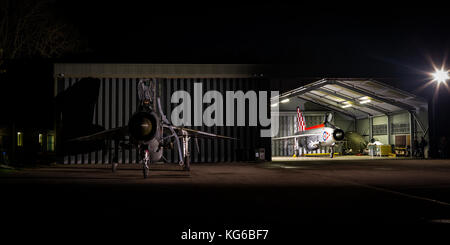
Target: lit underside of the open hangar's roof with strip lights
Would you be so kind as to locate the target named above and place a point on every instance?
(353, 97)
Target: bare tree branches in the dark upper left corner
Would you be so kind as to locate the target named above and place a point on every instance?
(29, 29)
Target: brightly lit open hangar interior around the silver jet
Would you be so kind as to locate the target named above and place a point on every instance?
(364, 108)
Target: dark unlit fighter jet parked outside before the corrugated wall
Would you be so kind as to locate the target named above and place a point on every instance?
(150, 132)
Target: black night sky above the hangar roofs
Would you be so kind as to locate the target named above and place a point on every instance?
(394, 43)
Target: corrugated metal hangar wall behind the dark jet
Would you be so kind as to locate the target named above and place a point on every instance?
(118, 100)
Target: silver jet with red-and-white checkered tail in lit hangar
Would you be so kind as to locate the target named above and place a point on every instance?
(325, 134)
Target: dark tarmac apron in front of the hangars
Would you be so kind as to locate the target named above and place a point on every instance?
(285, 197)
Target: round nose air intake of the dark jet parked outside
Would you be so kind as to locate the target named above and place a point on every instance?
(143, 126)
